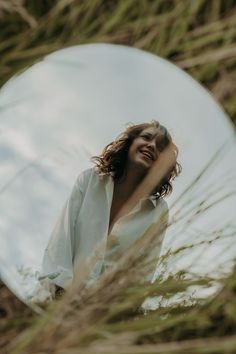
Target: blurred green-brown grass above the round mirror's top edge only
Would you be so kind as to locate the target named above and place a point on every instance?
(199, 36)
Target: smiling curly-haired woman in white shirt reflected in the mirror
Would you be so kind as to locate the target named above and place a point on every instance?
(113, 204)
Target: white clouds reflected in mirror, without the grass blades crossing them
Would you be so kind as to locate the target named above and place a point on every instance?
(73, 104)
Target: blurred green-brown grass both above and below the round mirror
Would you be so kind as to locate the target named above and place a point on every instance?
(200, 37)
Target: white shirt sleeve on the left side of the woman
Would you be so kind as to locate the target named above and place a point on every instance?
(57, 264)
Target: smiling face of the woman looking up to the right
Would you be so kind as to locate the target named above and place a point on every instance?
(146, 148)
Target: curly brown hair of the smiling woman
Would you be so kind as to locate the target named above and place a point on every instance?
(113, 159)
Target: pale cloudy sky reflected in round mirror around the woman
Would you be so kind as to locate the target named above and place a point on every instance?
(62, 111)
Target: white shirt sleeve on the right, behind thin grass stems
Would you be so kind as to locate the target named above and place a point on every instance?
(161, 226)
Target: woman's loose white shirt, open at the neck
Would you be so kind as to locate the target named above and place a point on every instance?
(82, 228)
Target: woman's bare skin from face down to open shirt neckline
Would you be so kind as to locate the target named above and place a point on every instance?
(142, 158)
